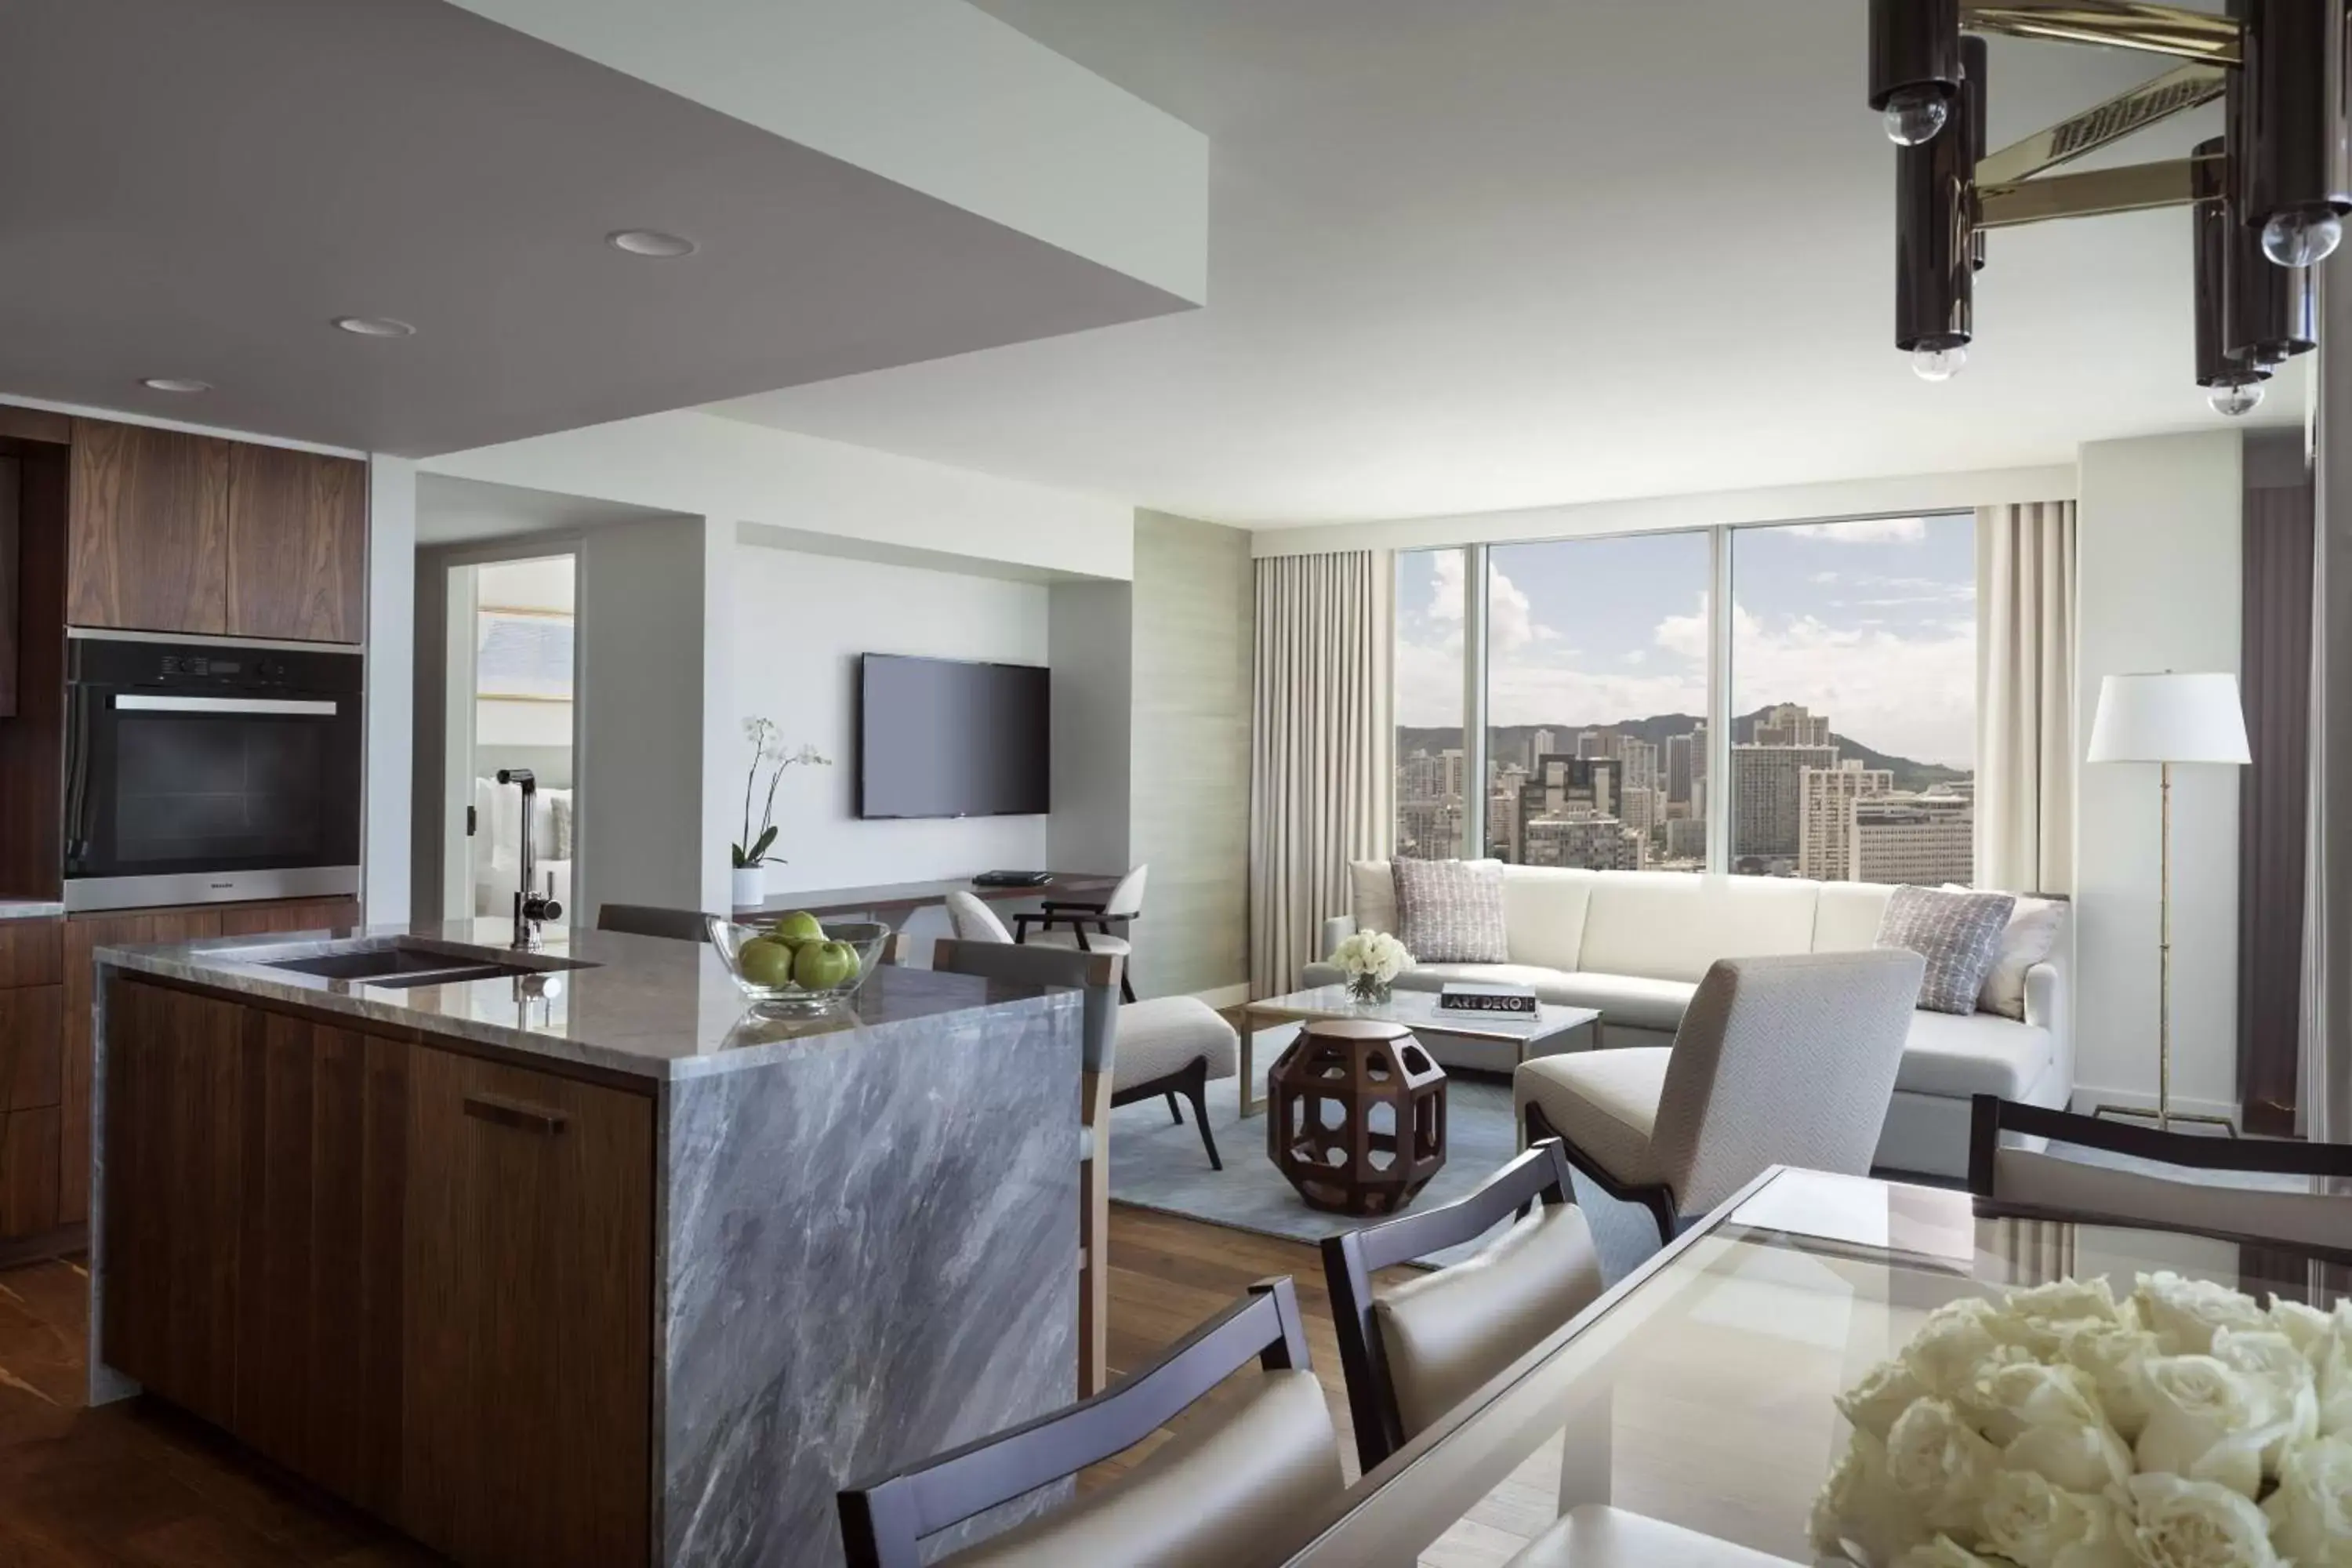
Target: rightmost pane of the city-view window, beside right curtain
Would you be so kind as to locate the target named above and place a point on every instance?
(1855, 699)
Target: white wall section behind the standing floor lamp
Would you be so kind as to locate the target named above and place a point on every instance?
(2160, 579)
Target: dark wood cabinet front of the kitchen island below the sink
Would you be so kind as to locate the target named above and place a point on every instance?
(415, 1278)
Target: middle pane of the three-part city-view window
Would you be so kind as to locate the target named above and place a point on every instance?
(1596, 702)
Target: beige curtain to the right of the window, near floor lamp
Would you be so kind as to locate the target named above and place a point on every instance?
(2026, 697)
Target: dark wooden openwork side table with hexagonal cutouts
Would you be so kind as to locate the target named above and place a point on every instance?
(1321, 1127)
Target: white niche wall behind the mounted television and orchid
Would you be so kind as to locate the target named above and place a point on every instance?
(801, 624)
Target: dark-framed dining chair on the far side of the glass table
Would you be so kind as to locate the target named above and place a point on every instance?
(2189, 1188)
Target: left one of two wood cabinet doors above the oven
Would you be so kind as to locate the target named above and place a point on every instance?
(147, 530)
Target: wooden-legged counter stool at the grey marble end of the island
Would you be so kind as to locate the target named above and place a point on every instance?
(1095, 977)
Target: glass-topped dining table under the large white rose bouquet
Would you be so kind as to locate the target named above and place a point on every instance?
(1702, 1388)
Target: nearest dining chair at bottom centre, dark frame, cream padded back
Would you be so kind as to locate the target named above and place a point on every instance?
(1236, 1487)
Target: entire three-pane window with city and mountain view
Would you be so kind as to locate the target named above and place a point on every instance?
(1836, 739)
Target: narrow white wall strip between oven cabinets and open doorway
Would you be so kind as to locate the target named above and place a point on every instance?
(392, 688)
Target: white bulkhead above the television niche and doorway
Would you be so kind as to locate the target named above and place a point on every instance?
(733, 471)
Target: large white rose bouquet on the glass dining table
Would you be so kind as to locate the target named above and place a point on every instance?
(2179, 1428)
